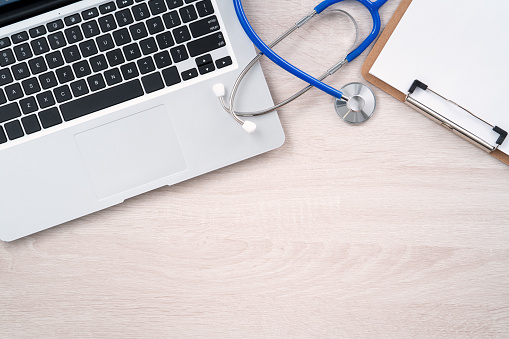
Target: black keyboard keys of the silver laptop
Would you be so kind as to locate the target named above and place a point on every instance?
(101, 57)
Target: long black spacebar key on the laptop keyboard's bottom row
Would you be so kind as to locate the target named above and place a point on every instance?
(101, 100)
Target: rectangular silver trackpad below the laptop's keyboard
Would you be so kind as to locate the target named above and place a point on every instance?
(131, 152)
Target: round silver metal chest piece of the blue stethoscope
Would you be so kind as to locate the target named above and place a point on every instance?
(360, 105)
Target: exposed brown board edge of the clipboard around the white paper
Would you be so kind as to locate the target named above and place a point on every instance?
(377, 49)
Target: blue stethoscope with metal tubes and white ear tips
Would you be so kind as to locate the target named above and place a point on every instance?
(355, 103)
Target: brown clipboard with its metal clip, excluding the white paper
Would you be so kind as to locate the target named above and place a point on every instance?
(375, 53)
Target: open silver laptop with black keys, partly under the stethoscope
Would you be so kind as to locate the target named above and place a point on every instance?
(101, 101)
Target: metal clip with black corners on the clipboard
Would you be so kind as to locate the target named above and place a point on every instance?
(437, 117)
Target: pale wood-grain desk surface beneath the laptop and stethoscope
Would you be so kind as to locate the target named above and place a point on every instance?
(396, 228)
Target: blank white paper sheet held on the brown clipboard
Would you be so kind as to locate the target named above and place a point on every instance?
(460, 49)
